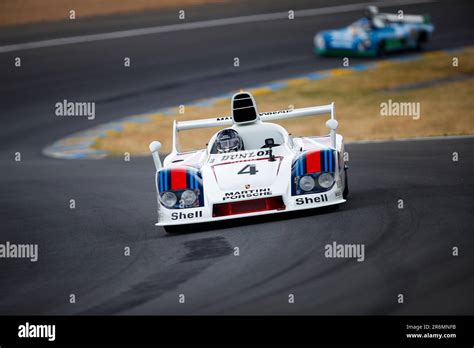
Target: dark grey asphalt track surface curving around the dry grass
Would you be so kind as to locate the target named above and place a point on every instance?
(81, 251)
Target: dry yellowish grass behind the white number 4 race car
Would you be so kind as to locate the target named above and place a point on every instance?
(446, 108)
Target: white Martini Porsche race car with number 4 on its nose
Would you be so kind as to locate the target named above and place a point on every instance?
(252, 167)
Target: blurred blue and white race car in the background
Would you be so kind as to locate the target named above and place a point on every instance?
(375, 34)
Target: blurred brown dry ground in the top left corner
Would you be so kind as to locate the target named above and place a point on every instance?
(16, 12)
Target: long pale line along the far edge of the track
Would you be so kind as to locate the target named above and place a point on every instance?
(201, 24)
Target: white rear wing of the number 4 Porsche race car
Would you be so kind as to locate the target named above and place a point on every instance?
(226, 121)
